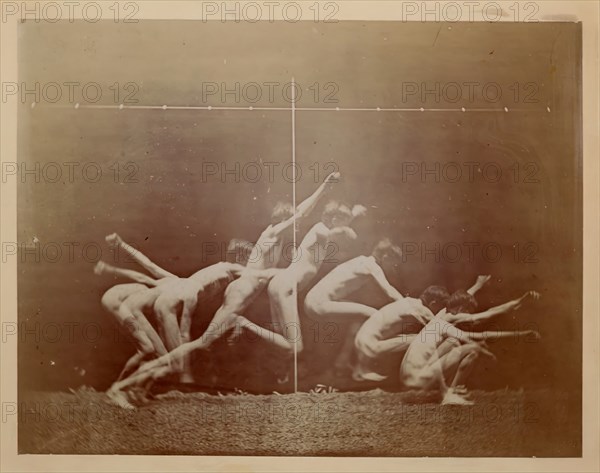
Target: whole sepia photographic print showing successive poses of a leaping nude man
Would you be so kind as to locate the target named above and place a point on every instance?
(315, 238)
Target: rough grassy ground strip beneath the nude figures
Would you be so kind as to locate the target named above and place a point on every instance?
(370, 423)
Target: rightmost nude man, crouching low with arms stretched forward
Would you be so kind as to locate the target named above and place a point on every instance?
(442, 352)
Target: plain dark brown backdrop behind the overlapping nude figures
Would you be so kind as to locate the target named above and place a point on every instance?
(172, 210)
